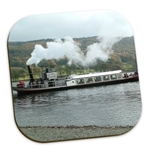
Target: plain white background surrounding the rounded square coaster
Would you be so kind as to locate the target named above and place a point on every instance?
(137, 13)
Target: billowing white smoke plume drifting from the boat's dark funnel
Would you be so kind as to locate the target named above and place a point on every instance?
(69, 48)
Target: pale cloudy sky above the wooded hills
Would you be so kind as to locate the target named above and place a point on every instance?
(74, 24)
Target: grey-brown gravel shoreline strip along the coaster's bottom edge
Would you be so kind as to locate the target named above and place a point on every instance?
(65, 133)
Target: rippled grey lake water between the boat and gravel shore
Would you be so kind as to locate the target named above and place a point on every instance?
(114, 105)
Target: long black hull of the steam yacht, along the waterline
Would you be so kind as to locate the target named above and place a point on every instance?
(24, 91)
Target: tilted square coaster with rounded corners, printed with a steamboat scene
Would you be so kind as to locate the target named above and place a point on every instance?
(74, 76)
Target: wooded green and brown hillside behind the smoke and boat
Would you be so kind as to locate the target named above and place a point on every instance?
(123, 57)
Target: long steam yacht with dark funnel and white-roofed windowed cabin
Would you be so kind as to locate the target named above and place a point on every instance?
(49, 81)
